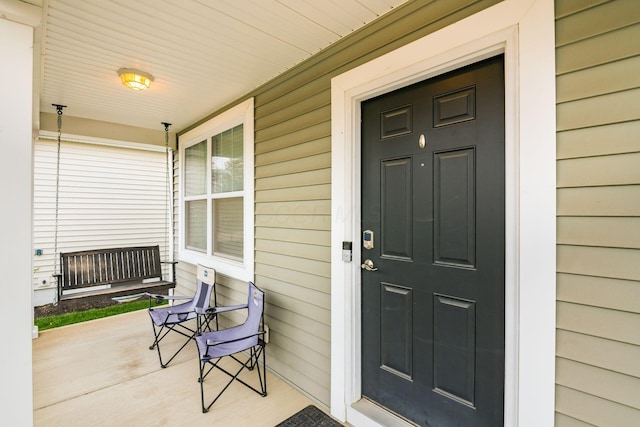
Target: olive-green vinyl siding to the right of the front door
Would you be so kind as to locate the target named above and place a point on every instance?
(598, 227)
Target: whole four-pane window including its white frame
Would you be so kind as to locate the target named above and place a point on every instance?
(216, 199)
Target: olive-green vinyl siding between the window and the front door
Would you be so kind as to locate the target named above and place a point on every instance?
(293, 189)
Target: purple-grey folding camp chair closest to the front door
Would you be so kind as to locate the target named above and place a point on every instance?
(249, 336)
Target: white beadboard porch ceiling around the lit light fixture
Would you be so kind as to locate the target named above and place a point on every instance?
(202, 53)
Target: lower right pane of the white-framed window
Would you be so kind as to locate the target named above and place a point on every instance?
(228, 219)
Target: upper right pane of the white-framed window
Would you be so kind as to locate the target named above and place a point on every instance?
(227, 161)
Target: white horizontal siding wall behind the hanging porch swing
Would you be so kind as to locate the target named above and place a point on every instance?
(108, 197)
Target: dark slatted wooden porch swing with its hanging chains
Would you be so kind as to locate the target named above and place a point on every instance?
(100, 276)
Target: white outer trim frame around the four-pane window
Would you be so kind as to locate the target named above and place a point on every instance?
(242, 113)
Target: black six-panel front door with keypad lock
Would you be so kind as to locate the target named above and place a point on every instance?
(433, 248)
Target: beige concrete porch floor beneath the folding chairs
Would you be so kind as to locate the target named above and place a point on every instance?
(102, 373)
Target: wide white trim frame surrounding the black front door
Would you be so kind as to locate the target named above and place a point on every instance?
(524, 31)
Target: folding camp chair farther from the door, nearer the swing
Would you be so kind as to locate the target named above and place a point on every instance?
(180, 318)
